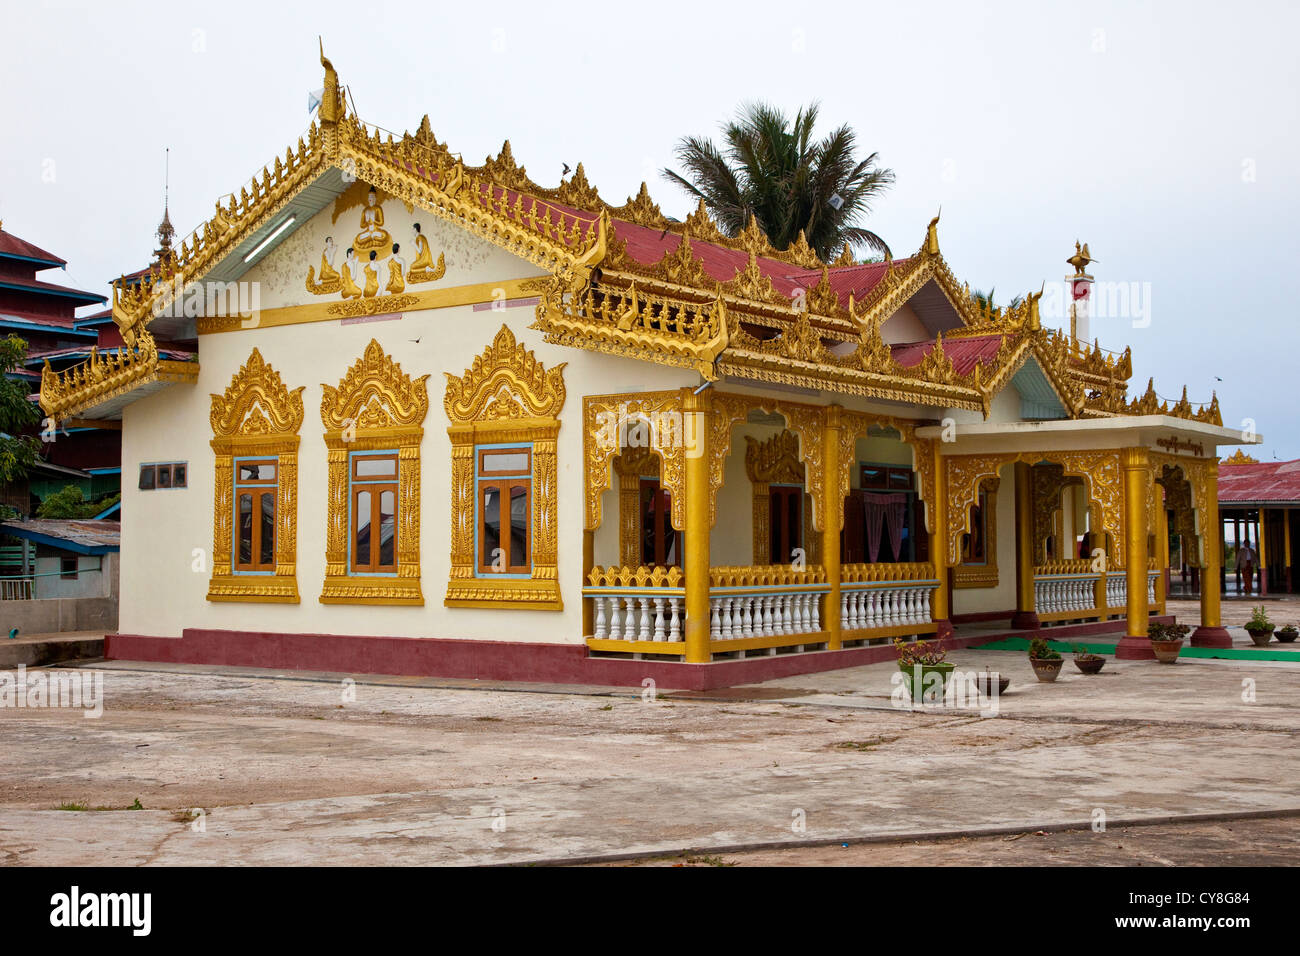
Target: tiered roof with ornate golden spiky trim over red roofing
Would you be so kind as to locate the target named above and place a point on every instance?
(673, 312)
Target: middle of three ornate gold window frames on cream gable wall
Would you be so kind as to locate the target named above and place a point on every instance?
(376, 408)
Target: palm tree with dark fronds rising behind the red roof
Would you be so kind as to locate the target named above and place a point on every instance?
(773, 170)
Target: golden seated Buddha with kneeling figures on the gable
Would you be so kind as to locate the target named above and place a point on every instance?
(374, 261)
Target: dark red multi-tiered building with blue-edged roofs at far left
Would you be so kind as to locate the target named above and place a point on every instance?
(44, 314)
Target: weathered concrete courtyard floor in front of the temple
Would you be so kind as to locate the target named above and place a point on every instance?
(293, 768)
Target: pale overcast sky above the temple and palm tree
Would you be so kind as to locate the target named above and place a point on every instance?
(1164, 135)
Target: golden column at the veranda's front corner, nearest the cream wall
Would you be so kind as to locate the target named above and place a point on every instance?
(695, 432)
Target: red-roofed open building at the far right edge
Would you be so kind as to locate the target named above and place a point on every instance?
(1260, 505)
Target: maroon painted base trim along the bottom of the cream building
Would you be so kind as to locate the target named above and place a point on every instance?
(549, 664)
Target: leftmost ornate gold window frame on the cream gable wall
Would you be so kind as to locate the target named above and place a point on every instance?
(255, 418)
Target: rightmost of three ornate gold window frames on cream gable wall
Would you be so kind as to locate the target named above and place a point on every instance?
(506, 397)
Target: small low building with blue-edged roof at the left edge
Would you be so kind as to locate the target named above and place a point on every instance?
(71, 582)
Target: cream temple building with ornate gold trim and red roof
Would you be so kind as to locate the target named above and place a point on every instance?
(660, 452)
